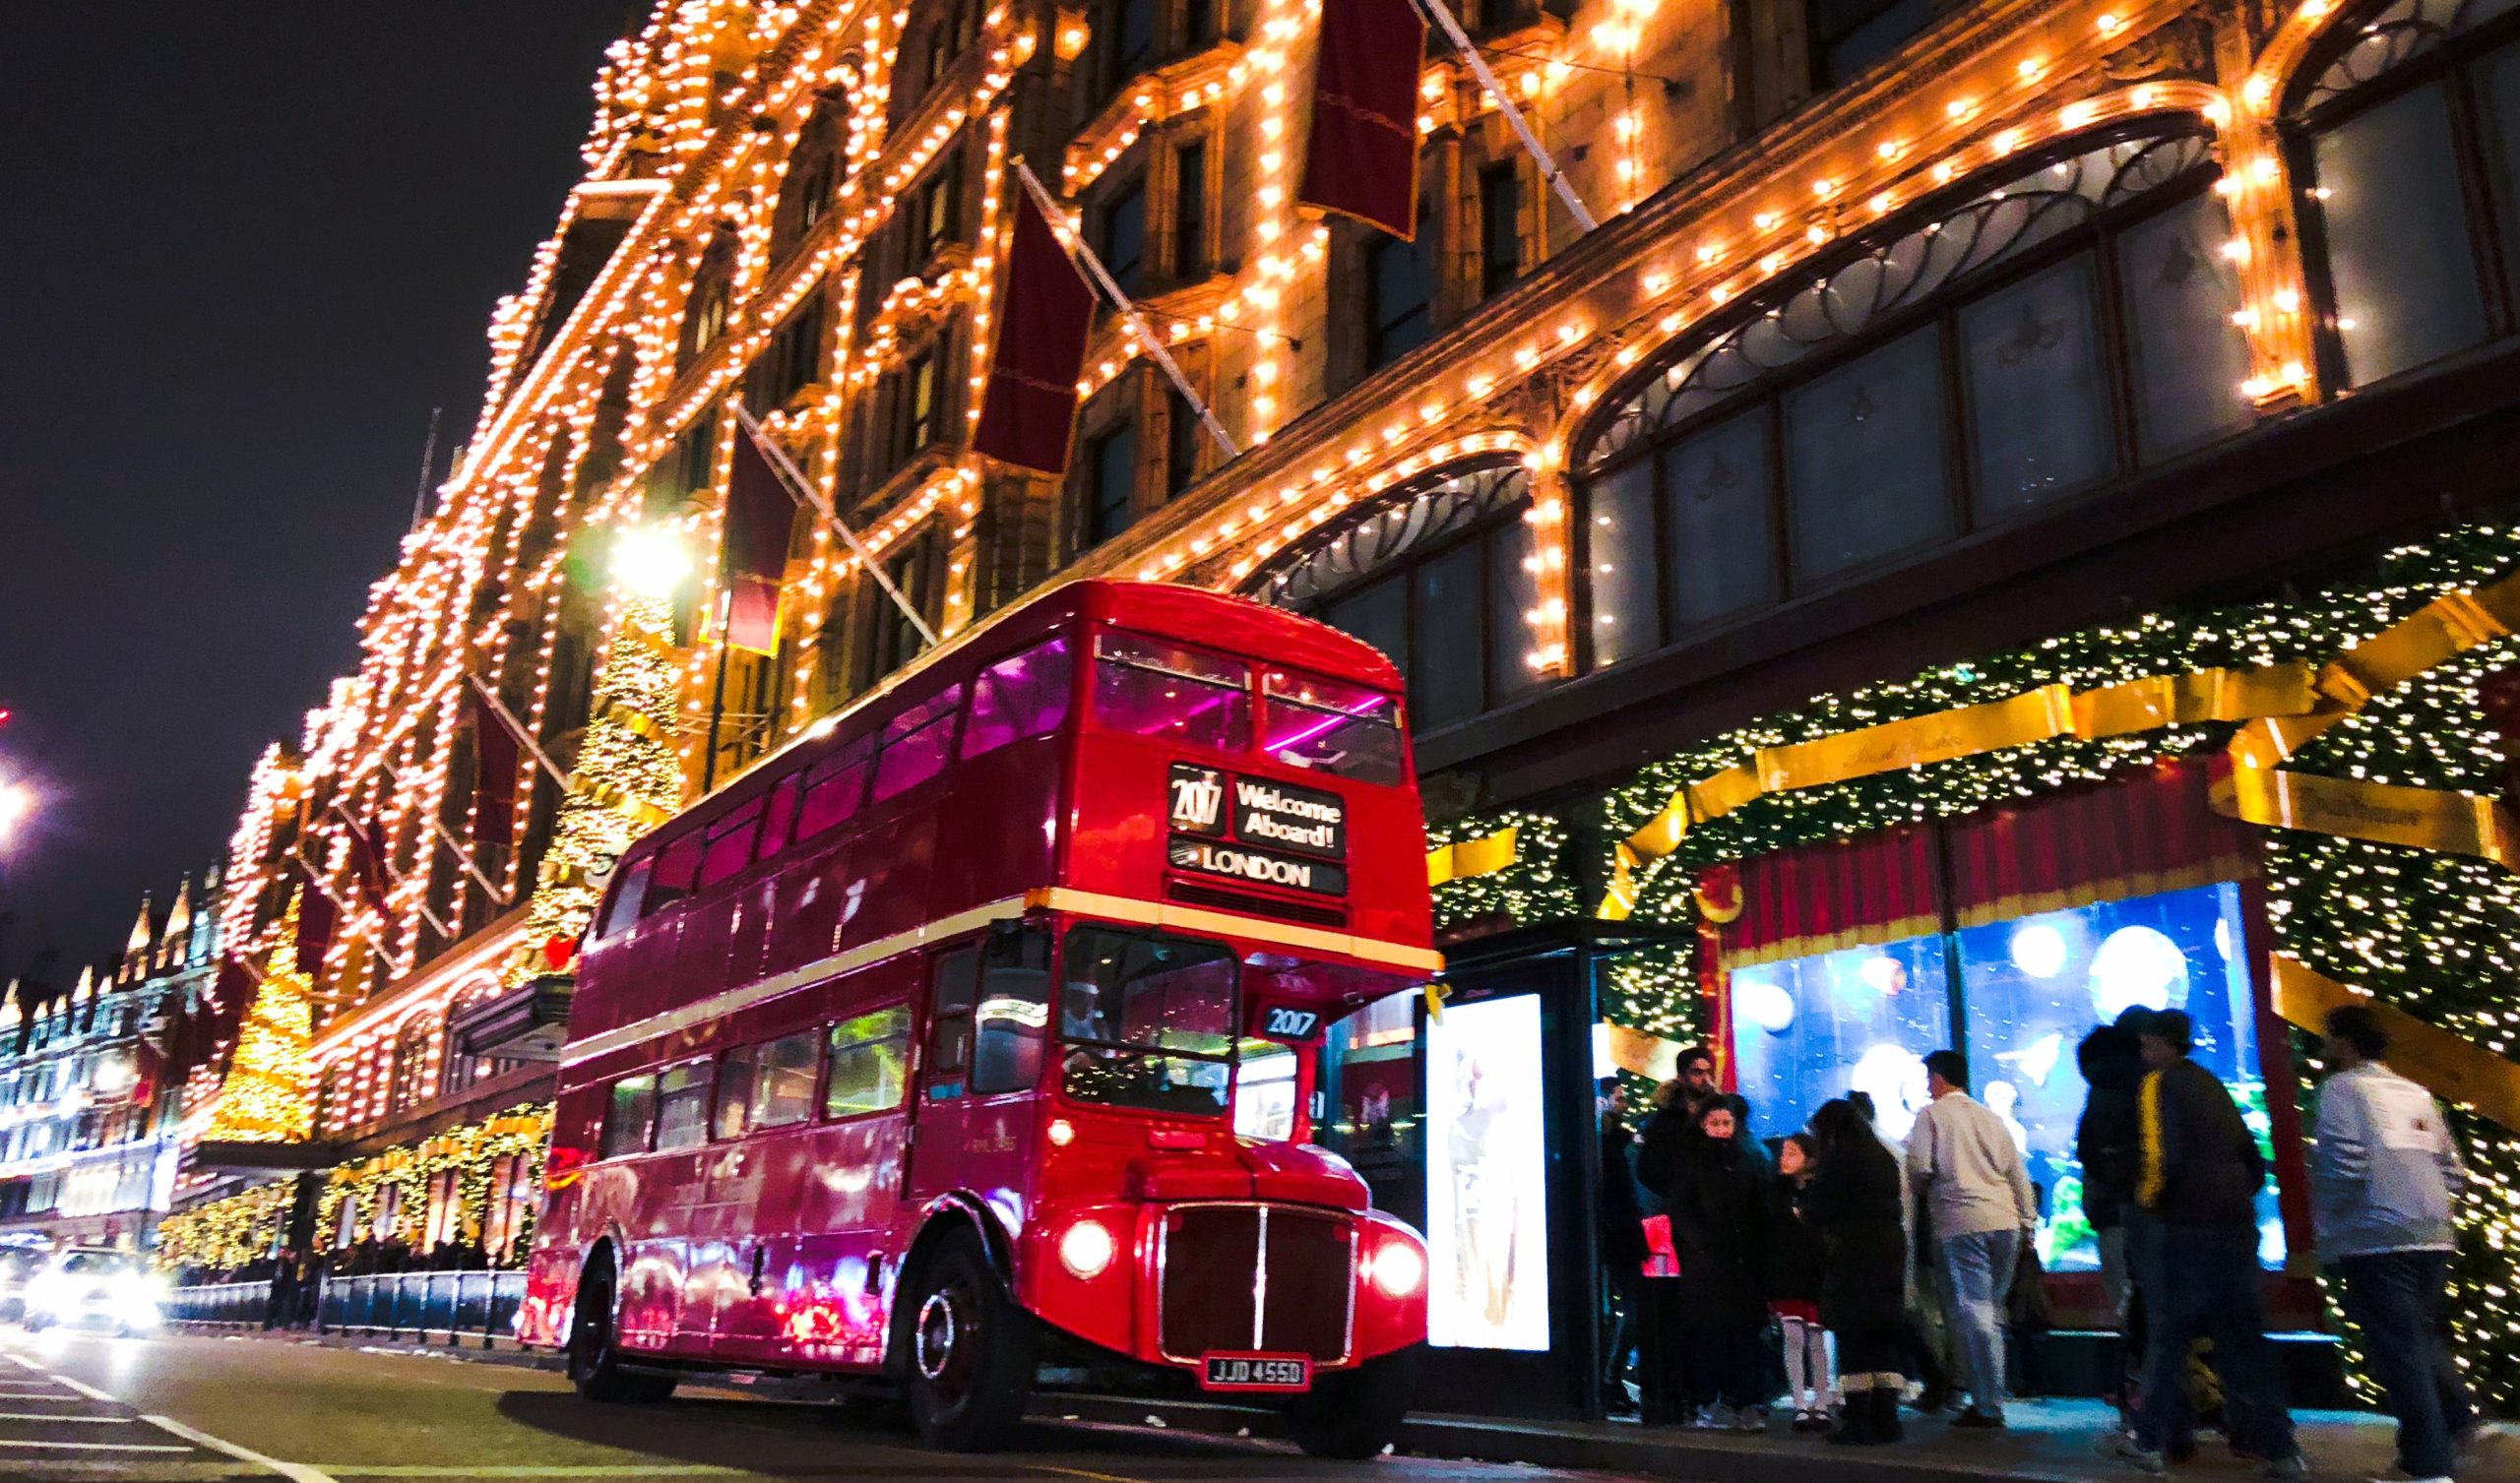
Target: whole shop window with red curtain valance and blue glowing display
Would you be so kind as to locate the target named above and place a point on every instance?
(2012, 935)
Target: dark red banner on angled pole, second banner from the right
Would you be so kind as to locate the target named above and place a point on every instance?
(1029, 409)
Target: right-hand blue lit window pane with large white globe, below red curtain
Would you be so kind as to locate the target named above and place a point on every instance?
(2035, 986)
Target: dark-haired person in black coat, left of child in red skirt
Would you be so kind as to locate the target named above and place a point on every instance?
(1717, 1200)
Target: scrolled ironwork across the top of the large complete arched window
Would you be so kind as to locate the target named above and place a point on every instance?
(1921, 261)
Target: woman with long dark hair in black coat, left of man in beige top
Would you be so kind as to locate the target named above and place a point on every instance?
(1856, 1205)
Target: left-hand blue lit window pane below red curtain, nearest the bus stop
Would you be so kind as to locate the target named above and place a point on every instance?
(1816, 1029)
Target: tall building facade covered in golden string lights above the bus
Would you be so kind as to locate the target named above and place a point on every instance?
(1909, 334)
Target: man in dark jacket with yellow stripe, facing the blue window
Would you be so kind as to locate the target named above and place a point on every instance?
(2199, 1187)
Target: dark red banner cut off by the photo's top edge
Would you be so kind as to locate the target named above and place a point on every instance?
(1362, 157)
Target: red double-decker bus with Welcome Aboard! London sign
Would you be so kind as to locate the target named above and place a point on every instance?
(979, 1031)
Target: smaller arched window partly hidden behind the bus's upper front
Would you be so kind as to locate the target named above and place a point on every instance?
(1435, 575)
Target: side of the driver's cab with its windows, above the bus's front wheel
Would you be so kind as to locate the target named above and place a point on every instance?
(976, 1102)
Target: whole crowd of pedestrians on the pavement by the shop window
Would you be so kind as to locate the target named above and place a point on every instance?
(1858, 1278)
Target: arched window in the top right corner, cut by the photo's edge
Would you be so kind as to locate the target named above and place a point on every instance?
(2405, 135)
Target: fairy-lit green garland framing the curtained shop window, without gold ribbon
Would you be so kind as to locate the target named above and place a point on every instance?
(2433, 935)
